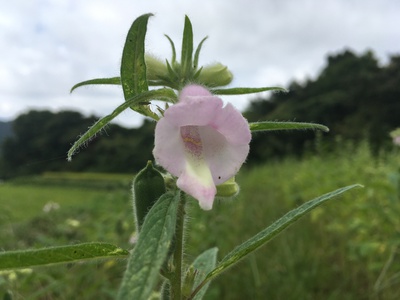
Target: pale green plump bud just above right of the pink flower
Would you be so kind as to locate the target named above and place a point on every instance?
(215, 75)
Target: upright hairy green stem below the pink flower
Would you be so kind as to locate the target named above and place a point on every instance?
(176, 278)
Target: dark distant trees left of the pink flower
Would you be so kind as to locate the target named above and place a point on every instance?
(41, 139)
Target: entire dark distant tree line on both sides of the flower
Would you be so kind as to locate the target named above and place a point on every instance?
(357, 98)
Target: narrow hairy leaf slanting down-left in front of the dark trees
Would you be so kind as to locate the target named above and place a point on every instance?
(137, 102)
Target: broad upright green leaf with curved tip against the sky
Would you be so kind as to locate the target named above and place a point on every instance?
(133, 65)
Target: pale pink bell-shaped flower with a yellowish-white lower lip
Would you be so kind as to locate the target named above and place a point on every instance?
(201, 142)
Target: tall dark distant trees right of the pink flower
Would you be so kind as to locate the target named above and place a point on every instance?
(353, 95)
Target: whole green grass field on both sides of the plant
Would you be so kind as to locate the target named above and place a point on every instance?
(347, 249)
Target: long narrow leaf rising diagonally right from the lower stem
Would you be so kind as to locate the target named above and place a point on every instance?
(270, 232)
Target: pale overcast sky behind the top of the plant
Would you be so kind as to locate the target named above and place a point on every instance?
(47, 46)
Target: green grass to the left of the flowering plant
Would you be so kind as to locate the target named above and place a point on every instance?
(85, 213)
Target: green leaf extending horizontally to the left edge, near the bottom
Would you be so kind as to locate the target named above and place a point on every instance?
(60, 254)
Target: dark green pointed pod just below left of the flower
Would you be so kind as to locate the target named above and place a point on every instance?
(148, 186)
